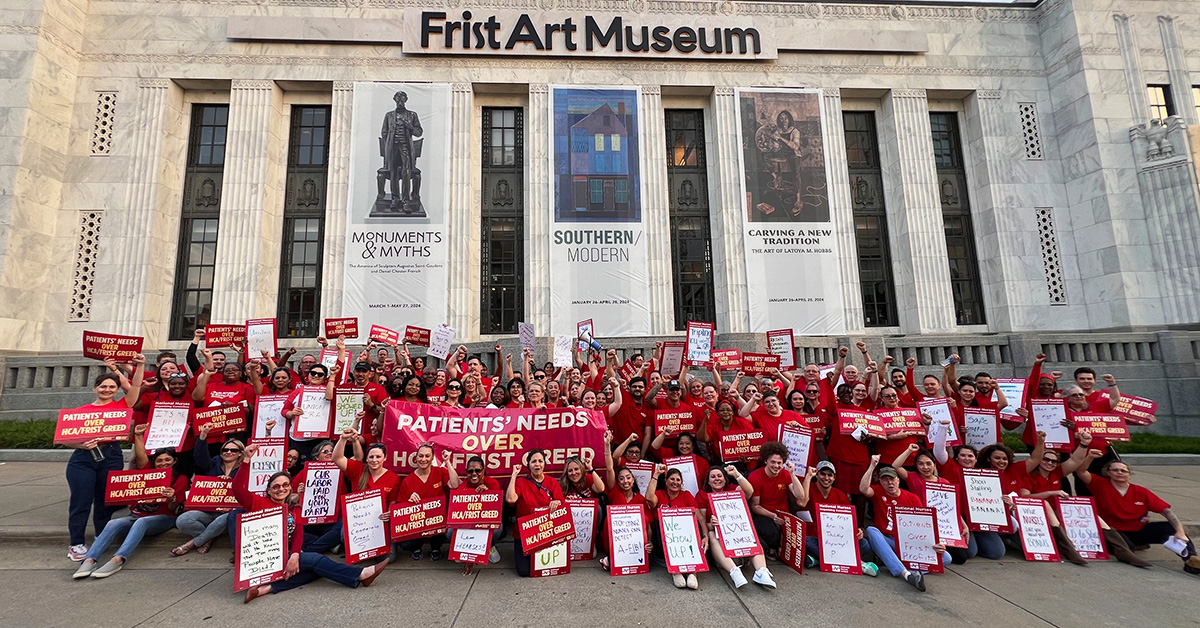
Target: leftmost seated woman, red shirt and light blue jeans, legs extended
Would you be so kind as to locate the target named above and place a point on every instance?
(146, 519)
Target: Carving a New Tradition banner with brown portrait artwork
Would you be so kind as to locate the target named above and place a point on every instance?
(790, 240)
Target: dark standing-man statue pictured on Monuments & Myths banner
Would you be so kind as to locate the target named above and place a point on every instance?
(400, 180)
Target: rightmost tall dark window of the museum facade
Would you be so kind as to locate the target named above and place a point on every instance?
(961, 250)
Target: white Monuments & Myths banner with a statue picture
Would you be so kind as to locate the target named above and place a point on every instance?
(397, 244)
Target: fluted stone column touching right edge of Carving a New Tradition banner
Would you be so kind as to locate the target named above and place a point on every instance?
(843, 211)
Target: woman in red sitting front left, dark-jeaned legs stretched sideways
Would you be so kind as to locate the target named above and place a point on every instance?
(303, 567)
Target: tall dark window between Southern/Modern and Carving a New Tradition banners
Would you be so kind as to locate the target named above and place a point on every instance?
(692, 250)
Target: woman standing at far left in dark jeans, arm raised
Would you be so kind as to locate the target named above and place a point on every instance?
(92, 460)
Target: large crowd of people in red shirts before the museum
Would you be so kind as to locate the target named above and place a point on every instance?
(873, 475)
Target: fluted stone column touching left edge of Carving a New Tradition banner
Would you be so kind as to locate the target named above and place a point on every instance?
(729, 250)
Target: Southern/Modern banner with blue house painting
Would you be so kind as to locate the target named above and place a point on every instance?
(598, 244)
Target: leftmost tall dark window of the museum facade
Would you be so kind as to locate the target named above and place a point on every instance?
(200, 218)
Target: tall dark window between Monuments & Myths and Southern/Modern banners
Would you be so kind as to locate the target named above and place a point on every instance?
(503, 220)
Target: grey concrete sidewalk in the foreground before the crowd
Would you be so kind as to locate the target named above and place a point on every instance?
(159, 590)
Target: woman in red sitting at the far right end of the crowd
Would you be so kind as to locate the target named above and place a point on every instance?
(1126, 507)
